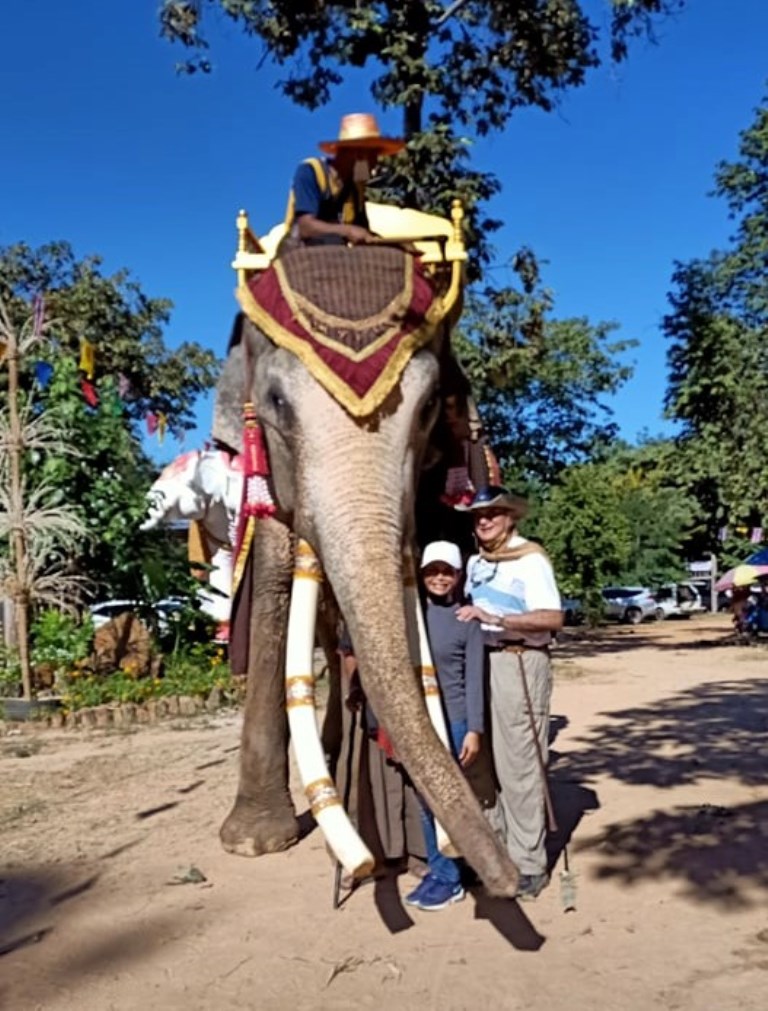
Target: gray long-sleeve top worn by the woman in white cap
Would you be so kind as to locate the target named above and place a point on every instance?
(458, 652)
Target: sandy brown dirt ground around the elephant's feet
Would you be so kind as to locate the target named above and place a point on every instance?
(660, 774)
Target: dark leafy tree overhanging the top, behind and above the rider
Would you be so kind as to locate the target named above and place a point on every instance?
(458, 71)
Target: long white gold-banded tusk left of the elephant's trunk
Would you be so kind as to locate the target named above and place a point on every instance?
(321, 791)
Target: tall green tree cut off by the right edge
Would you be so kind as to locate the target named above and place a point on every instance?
(718, 356)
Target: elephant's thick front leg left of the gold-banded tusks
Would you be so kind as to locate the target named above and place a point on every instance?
(263, 819)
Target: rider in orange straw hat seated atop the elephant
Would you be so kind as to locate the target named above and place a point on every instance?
(328, 200)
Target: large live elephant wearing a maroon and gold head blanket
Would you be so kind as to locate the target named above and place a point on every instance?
(344, 479)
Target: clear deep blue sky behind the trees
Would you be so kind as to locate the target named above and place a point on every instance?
(107, 147)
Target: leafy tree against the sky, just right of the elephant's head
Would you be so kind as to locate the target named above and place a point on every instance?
(539, 381)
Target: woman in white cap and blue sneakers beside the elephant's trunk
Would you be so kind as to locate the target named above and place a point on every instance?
(457, 650)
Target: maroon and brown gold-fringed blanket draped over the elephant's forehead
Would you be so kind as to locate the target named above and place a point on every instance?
(354, 317)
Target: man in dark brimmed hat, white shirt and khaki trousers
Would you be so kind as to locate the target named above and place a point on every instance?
(514, 595)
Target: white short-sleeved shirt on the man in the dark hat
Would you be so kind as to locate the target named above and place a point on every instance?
(513, 588)
